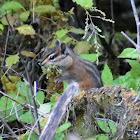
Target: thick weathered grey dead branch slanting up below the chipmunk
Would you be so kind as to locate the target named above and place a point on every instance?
(58, 113)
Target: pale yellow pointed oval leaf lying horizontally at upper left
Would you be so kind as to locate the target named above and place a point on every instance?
(26, 30)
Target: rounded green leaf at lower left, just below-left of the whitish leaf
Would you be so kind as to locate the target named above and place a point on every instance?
(27, 118)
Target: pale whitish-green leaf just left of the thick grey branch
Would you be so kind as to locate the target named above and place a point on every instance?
(45, 108)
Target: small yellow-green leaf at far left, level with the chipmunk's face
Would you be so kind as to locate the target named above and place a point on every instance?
(12, 59)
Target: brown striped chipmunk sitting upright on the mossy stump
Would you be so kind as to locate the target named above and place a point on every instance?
(74, 68)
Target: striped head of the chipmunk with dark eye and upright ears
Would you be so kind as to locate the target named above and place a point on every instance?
(58, 55)
